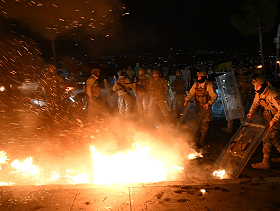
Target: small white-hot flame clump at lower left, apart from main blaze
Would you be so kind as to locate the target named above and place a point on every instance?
(25, 168)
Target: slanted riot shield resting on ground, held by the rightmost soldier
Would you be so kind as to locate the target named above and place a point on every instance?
(241, 147)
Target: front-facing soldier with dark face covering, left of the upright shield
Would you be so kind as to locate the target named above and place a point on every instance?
(204, 96)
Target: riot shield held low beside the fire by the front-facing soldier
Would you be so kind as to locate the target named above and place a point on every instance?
(191, 119)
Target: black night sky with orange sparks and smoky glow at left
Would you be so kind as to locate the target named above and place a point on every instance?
(150, 26)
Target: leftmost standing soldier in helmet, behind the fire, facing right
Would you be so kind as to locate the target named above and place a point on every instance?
(93, 89)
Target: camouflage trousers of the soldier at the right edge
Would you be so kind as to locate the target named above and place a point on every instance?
(271, 138)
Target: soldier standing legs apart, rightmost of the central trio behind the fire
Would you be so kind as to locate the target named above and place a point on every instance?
(157, 92)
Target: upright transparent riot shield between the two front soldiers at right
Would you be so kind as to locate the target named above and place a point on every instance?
(230, 96)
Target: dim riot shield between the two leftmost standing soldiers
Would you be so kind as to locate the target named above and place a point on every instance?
(111, 96)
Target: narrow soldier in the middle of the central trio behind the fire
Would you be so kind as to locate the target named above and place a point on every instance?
(142, 100)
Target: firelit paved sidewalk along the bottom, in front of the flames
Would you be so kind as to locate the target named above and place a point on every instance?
(235, 194)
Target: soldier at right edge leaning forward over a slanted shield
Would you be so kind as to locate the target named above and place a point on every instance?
(268, 99)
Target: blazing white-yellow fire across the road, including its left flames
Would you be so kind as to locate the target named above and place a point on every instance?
(136, 165)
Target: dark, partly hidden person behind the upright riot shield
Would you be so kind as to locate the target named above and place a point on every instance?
(244, 89)
